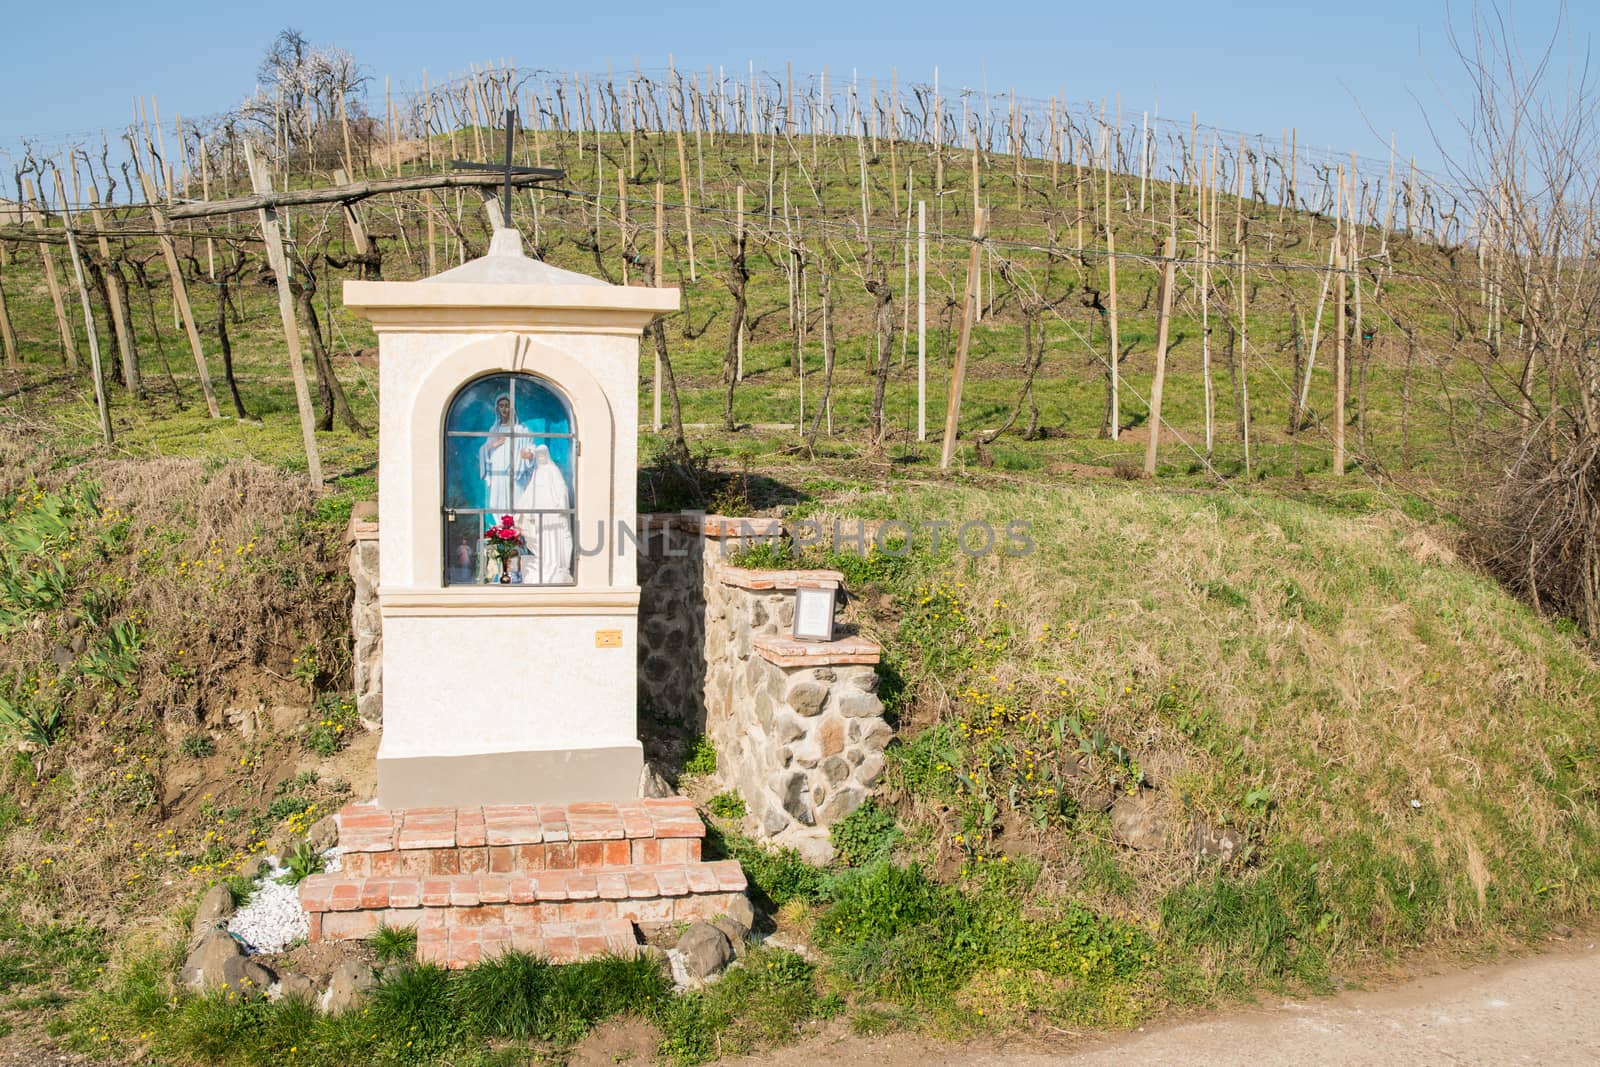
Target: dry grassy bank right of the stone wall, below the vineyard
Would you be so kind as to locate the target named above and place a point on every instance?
(1366, 711)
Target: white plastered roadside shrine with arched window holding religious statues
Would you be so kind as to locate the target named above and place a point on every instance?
(508, 388)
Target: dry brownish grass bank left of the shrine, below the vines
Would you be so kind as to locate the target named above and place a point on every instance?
(233, 586)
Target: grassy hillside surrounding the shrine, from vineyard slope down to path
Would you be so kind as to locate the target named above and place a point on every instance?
(1399, 753)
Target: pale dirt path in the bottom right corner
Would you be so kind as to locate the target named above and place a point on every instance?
(1543, 1010)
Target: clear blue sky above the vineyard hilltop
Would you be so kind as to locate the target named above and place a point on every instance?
(1345, 74)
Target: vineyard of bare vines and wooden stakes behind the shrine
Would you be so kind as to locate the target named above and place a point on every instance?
(822, 234)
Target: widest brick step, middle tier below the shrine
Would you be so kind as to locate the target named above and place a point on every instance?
(345, 908)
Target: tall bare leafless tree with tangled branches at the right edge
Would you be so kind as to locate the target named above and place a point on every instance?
(1530, 170)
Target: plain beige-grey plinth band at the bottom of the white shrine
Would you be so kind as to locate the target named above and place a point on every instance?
(551, 777)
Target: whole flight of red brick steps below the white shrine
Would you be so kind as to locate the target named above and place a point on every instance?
(561, 882)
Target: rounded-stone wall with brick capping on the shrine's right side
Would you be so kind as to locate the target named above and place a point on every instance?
(798, 727)
